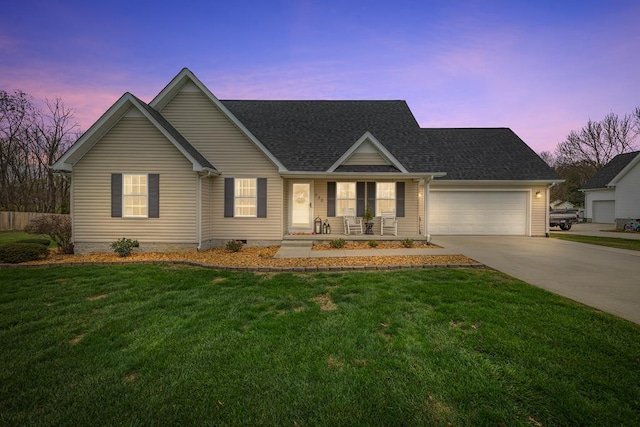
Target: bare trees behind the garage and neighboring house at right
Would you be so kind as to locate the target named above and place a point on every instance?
(584, 152)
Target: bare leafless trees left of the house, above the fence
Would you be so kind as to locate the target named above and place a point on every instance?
(32, 137)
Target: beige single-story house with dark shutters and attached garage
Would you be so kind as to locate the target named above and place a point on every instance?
(189, 170)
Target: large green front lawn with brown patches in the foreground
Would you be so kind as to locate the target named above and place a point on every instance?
(161, 344)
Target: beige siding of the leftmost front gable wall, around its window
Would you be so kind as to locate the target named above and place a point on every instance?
(133, 145)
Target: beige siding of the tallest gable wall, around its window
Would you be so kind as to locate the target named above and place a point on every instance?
(209, 130)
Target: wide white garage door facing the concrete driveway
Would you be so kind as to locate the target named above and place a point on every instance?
(478, 212)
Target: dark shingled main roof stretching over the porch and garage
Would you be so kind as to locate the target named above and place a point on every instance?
(311, 135)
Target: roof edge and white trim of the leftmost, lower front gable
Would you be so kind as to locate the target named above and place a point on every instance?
(127, 104)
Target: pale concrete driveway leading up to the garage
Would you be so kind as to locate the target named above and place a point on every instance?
(605, 278)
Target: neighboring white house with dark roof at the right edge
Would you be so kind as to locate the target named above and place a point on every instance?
(613, 194)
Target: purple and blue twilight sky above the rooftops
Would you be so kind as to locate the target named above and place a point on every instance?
(541, 68)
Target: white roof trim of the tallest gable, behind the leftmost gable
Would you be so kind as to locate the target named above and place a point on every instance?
(184, 77)
